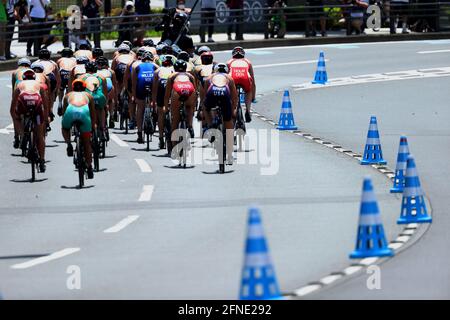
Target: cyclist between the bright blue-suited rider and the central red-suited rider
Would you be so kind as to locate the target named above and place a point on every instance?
(158, 92)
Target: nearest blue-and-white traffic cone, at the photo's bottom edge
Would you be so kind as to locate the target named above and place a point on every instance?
(258, 275)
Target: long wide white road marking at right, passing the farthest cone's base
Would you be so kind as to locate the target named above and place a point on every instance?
(378, 77)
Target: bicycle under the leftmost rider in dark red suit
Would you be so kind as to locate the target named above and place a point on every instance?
(29, 148)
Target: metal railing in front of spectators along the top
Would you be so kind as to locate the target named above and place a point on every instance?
(436, 14)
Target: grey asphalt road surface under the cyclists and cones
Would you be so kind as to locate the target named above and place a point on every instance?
(189, 230)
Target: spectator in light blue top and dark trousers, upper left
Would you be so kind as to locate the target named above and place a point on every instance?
(38, 16)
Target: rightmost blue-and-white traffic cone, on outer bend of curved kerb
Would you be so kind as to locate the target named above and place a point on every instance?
(413, 209)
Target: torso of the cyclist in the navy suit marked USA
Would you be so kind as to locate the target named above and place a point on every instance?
(219, 96)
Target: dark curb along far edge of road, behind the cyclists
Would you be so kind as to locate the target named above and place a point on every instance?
(299, 41)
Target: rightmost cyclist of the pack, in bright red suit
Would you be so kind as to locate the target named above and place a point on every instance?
(241, 71)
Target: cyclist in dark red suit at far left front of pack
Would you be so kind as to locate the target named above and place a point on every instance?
(30, 93)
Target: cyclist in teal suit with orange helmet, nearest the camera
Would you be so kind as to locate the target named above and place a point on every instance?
(79, 106)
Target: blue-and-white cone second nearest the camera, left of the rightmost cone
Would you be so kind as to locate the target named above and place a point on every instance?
(370, 241)
